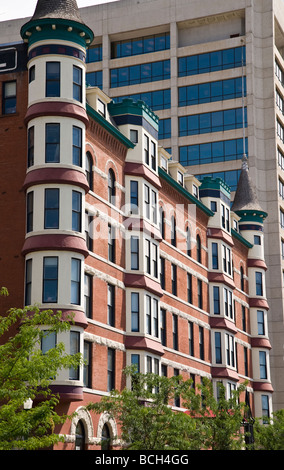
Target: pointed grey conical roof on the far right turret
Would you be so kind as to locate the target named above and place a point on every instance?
(246, 197)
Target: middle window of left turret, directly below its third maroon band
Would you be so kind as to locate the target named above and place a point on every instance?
(50, 279)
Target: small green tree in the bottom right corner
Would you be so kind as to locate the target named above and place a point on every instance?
(269, 433)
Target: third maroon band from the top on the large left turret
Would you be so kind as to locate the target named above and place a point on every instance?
(55, 242)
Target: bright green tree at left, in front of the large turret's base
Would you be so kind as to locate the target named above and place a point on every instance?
(26, 374)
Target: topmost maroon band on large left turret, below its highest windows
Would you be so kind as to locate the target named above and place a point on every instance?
(57, 108)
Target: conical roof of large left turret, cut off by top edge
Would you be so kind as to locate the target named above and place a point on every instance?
(60, 9)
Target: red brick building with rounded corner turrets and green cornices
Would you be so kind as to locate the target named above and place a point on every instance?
(159, 269)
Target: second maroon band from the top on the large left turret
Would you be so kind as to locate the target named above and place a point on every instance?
(56, 176)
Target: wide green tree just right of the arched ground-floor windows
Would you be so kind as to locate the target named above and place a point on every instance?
(145, 419)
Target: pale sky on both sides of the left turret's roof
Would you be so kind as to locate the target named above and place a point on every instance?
(12, 9)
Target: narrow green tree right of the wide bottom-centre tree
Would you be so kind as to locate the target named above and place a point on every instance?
(219, 421)
